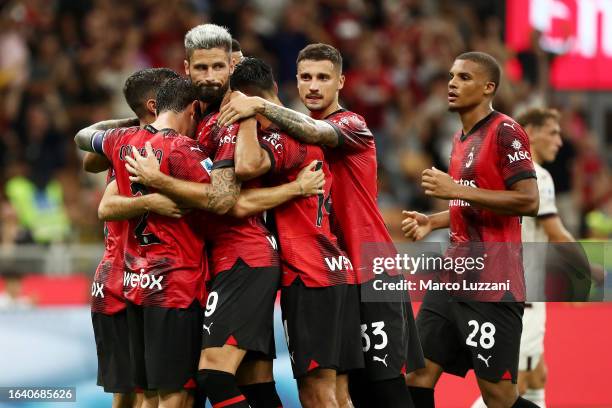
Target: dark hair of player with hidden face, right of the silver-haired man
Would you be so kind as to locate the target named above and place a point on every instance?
(252, 76)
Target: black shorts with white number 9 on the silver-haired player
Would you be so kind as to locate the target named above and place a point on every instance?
(240, 309)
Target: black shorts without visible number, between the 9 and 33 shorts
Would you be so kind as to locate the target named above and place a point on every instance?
(322, 327)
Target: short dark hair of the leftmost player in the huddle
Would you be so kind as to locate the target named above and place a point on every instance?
(143, 85)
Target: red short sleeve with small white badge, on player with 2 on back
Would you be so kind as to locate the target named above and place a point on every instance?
(189, 162)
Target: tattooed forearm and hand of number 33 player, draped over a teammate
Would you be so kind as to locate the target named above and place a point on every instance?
(296, 124)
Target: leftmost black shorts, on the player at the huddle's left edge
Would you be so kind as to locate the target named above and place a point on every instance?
(113, 349)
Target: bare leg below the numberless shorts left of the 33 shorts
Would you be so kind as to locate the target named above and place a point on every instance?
(318, 389)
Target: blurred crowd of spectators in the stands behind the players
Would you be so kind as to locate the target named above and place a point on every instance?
(63, 64)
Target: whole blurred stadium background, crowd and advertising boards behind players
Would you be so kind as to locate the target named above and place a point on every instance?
(62, 67)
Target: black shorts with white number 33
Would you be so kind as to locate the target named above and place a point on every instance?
(389, 335)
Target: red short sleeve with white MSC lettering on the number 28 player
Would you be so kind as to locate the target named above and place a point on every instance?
(514, 155)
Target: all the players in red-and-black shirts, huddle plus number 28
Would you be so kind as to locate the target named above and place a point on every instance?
(218, 196)
